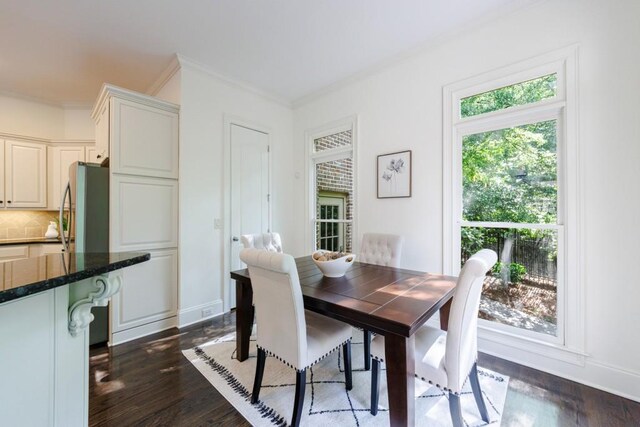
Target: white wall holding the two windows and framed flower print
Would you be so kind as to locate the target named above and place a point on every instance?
(400, 107)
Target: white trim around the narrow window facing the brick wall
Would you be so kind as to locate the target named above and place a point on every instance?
(311, 158)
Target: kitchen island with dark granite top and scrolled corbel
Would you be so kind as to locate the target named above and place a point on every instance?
(45, 311)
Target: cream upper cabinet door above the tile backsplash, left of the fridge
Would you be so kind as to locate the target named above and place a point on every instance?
(25, 175)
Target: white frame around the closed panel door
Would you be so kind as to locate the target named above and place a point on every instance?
(230, 120)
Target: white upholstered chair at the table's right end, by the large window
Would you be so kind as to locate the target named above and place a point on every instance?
(447, 359)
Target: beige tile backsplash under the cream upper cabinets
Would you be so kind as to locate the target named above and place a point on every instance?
(25, 224)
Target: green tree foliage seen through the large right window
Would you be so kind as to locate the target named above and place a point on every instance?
(509, 175)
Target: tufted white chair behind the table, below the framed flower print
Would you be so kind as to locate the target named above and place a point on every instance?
(379, 249)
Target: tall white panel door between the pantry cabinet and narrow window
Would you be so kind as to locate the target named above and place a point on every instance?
(249, 191)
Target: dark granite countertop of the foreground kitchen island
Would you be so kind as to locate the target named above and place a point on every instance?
(32, 275)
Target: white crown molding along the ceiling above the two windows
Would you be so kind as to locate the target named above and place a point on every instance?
(434, 42)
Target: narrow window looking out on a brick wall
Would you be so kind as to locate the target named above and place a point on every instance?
(332, 188)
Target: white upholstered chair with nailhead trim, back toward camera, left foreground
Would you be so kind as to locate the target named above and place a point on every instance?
(287, 331)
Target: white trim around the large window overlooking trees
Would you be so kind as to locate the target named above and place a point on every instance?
(571, 299)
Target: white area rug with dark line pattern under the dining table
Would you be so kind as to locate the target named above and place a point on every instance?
(327, 403)
